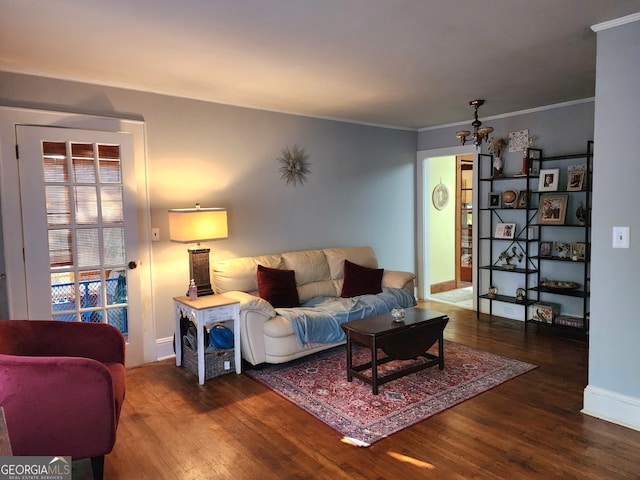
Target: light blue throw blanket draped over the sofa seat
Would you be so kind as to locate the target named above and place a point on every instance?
(318, 319)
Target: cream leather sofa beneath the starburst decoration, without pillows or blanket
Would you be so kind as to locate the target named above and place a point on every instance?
(267, 337)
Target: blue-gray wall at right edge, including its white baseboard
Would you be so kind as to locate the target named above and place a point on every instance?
(614, 353)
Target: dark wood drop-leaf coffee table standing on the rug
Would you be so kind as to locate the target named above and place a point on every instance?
(404, 340)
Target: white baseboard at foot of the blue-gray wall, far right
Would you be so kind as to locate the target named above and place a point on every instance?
(612, 407)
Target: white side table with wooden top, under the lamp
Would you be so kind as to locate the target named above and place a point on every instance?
(205, 311)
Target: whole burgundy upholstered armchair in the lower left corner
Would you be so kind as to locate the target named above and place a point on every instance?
(62, 385)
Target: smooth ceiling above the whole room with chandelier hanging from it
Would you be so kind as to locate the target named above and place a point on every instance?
(402, 63)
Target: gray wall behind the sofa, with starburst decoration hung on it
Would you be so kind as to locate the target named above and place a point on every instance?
(360, 190)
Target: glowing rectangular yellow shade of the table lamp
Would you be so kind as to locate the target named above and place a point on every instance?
(190, 225)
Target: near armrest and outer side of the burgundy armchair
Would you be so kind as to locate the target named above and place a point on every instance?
(65, 394)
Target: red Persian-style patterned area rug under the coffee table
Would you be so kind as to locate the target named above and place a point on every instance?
(318, 384)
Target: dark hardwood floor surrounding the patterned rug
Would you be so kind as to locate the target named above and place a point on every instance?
(233, 427)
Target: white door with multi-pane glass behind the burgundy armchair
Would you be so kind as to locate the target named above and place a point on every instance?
(78, 199)
